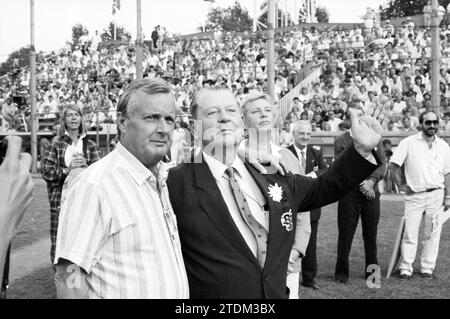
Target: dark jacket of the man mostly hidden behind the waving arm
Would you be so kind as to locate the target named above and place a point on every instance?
(342, 142)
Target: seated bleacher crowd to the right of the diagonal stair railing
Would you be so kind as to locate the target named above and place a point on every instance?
(389, 76)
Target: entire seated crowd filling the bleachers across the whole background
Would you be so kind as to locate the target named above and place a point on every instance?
(385, 68)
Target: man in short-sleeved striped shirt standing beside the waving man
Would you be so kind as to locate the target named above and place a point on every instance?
(117, 235)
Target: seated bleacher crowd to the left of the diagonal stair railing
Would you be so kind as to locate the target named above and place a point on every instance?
(92, 75)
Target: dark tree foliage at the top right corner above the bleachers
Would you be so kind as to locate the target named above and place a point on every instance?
(405, 8)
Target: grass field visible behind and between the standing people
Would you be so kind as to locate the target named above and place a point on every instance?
(38, 284)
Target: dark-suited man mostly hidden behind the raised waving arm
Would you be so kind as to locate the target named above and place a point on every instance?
(363, 201)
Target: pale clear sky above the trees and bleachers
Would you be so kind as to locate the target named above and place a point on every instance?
(54, 18)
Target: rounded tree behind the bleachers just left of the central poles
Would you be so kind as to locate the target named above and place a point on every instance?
(233, 18)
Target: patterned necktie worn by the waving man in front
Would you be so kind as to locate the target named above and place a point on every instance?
(257, 229)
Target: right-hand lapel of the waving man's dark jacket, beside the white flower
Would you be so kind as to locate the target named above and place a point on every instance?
(276, 231)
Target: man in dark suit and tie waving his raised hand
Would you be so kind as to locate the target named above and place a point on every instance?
(219, 257)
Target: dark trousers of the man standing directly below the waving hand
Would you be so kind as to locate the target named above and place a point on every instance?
(350, 208)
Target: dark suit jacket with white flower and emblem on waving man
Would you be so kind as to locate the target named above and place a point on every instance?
(218, 261)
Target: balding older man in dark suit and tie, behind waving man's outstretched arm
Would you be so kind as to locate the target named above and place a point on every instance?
(314, 165)
